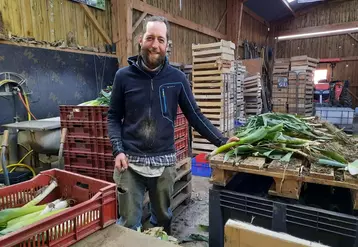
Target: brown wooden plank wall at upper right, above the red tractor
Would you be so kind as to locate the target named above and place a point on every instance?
(325, 47)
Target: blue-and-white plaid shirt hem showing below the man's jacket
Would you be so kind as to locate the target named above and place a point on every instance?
(154, 161)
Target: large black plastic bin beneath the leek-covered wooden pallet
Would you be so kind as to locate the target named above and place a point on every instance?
(277, 214)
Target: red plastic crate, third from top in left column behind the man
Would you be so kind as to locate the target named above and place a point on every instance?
(81, 144)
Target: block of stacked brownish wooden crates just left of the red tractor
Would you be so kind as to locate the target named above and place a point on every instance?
(293, 82)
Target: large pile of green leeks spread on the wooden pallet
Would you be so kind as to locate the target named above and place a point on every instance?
(280, 136)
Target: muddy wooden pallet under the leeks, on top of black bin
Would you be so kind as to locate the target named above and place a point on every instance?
(288, 178)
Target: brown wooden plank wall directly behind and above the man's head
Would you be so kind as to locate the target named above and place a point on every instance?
(205, 12)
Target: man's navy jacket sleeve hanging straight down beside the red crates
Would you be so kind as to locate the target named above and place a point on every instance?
(115, 115)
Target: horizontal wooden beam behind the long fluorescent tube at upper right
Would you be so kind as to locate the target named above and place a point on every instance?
(317, 30)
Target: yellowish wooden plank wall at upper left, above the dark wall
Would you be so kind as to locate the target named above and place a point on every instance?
(52, 20)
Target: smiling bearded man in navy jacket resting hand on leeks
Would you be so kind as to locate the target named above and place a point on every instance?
(141, 117)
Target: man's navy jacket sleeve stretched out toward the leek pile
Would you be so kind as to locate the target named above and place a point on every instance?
(196, 118)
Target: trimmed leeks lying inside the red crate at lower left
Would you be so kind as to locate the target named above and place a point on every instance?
(13, 219)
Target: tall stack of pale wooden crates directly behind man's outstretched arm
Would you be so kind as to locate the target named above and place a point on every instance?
(214, 88)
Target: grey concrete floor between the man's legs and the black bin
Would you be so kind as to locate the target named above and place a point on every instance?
(195, 214)
